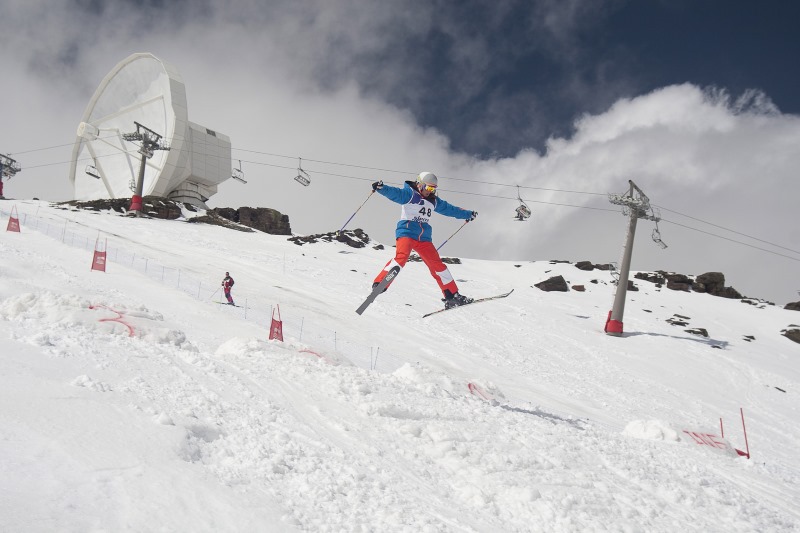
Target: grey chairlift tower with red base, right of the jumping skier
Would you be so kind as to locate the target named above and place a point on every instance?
(636, 205)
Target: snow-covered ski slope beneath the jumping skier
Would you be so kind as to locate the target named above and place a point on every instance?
(131, 401)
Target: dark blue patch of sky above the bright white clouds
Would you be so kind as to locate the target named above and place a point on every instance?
(498, 77)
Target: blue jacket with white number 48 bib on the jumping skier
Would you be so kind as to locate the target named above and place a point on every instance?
(416, 210)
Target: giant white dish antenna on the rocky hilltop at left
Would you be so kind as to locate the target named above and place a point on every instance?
(146, 90)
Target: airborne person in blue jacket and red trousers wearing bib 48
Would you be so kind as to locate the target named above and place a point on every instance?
(419, 201)
